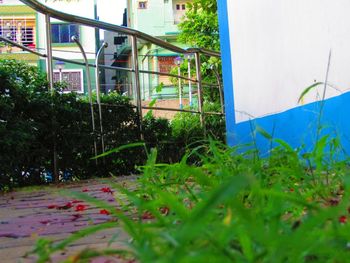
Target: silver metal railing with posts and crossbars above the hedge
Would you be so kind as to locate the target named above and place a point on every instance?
(135, 35)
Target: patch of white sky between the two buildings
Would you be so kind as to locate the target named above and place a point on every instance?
(111, 11)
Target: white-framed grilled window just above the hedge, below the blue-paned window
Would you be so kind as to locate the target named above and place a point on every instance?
(72, 77)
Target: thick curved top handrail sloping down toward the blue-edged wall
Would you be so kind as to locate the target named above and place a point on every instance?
(41, 8)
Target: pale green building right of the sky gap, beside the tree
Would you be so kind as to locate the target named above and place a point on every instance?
(158, 18)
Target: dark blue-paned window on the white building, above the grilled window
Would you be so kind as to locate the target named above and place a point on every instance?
(62, 33)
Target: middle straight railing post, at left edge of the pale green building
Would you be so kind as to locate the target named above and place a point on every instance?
(137, 82)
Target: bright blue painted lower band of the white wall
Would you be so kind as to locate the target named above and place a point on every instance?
(298, 126)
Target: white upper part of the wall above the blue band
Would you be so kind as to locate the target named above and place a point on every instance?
(280, 47)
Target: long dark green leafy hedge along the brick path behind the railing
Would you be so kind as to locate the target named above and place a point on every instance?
(36, 125)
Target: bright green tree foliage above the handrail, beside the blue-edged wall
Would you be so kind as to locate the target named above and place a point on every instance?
(199, 26)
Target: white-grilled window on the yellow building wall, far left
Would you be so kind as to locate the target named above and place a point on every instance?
(20, 30)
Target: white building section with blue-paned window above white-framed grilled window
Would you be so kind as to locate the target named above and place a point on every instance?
(64, 47)
